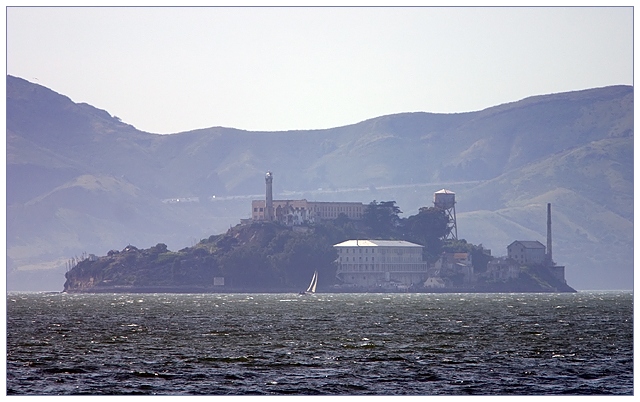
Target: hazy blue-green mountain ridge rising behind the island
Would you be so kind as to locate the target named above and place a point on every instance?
(80, 180)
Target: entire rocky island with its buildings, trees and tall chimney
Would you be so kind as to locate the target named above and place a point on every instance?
(270, 255)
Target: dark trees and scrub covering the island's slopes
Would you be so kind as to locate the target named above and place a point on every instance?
(265, 256)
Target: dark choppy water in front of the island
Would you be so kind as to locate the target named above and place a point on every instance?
(339, 344)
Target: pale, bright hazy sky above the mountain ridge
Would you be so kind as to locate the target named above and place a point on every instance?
(166, 70)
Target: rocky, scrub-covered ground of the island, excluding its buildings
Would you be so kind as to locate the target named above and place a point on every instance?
(268, 257)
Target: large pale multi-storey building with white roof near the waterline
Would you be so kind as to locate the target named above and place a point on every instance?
(371, 263)
